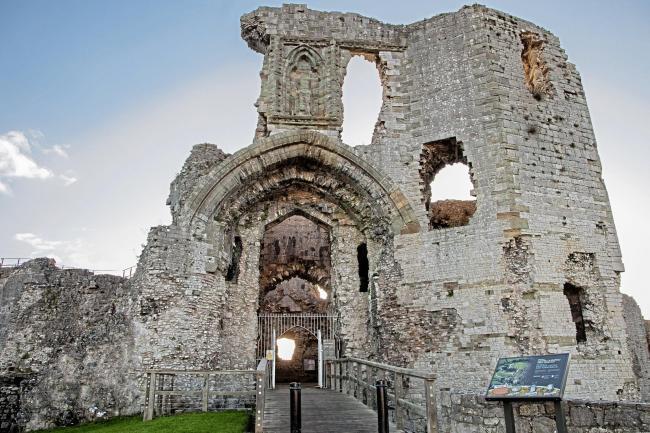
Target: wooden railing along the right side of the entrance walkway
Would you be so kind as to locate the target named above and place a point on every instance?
(411, 392)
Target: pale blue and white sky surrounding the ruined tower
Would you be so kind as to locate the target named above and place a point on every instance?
(101, 102)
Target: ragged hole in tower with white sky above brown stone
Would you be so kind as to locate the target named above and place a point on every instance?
(444, 170)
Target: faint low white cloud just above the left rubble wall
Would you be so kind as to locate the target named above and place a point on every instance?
(67, 253)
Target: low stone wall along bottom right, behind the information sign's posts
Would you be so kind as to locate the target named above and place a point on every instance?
(467, 413)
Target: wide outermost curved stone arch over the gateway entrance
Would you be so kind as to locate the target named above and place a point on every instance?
(255, 163)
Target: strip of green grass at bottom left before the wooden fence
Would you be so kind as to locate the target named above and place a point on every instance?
(220, 422)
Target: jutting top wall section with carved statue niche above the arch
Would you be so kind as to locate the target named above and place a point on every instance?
(305, 56)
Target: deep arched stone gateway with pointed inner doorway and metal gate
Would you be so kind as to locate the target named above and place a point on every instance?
(282, 205)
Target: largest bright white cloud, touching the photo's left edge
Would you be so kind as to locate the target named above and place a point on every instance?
(16, 161)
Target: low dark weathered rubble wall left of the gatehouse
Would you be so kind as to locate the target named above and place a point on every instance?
(67, 346)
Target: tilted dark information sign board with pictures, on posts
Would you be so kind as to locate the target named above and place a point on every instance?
(540, 377)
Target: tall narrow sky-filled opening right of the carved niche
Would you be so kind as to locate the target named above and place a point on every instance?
(362, 99)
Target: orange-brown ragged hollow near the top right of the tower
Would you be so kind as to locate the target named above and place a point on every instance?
(535, 69)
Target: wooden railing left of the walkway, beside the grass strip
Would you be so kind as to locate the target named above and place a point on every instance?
(179, 391)
